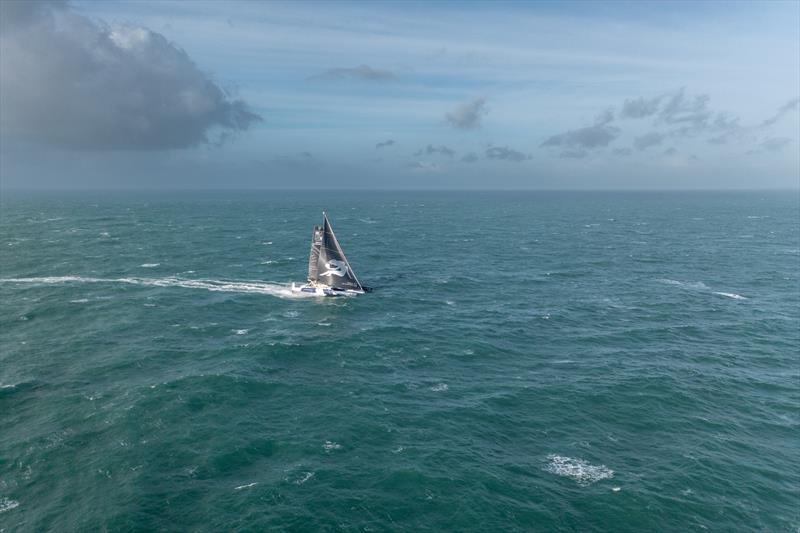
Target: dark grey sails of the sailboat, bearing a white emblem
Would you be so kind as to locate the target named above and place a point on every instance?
(326, 263)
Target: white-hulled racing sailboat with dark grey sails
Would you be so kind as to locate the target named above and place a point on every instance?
(329, 272)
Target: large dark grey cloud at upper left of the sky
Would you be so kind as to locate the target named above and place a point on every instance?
(70, 82)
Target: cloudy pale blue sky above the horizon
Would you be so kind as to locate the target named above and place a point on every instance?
(399, 95)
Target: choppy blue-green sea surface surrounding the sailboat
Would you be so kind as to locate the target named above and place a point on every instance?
(534, 361)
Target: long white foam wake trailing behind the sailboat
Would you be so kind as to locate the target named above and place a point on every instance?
(246, 287)
